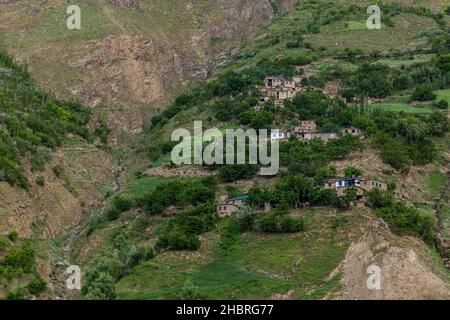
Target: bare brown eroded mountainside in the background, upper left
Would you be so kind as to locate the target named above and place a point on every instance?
(138, 55)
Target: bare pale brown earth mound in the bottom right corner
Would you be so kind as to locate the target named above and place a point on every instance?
(406, 268)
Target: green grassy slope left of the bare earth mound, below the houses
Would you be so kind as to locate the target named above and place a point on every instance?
(256, 266)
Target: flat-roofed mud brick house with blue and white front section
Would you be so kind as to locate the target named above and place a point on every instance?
(362, 187)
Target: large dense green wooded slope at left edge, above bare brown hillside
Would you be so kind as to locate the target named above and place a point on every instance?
(32, 122)
